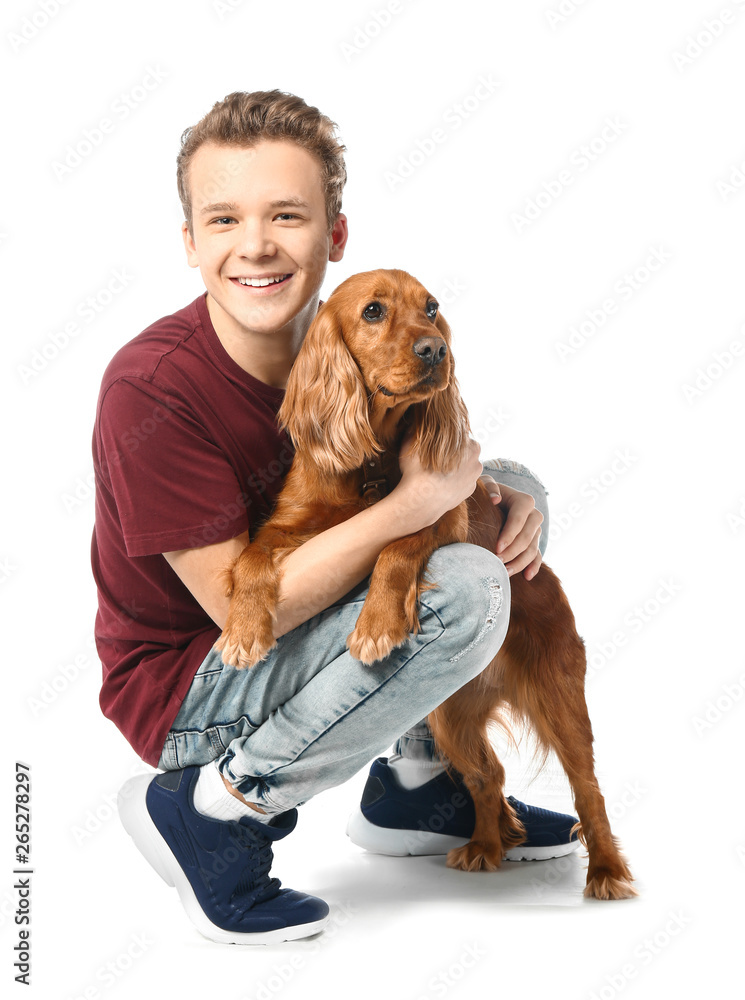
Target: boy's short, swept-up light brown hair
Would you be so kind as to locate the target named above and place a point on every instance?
(243, 119)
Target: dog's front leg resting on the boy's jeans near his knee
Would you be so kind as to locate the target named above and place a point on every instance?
(389, 613)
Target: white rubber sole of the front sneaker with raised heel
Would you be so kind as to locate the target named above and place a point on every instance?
(138, 824)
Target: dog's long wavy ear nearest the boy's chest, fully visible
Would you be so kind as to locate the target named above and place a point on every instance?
(325, 409)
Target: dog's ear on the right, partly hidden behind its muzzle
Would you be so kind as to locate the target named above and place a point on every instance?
(441, 427)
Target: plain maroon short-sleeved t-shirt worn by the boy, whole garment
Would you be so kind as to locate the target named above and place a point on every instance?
(186, 452)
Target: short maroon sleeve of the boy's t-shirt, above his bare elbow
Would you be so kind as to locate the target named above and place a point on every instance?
(172, 485)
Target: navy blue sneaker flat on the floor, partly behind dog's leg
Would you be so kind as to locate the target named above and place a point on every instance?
(440, 815)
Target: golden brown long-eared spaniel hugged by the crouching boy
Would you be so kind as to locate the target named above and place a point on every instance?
(355, 387)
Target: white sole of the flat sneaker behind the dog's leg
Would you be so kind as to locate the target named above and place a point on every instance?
(417, 843)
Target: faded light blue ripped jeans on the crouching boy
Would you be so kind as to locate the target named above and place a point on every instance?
(310, 715)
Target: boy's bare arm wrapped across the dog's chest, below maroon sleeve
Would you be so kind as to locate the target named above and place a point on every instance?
(325, 568)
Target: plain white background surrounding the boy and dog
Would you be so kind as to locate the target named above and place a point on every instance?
(648, 553)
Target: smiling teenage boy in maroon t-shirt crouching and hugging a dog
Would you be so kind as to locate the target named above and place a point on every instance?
(188, 461)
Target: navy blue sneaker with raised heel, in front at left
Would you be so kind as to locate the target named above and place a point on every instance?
(220, 869)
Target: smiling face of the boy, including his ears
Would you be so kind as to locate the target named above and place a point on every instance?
(260, 213)
